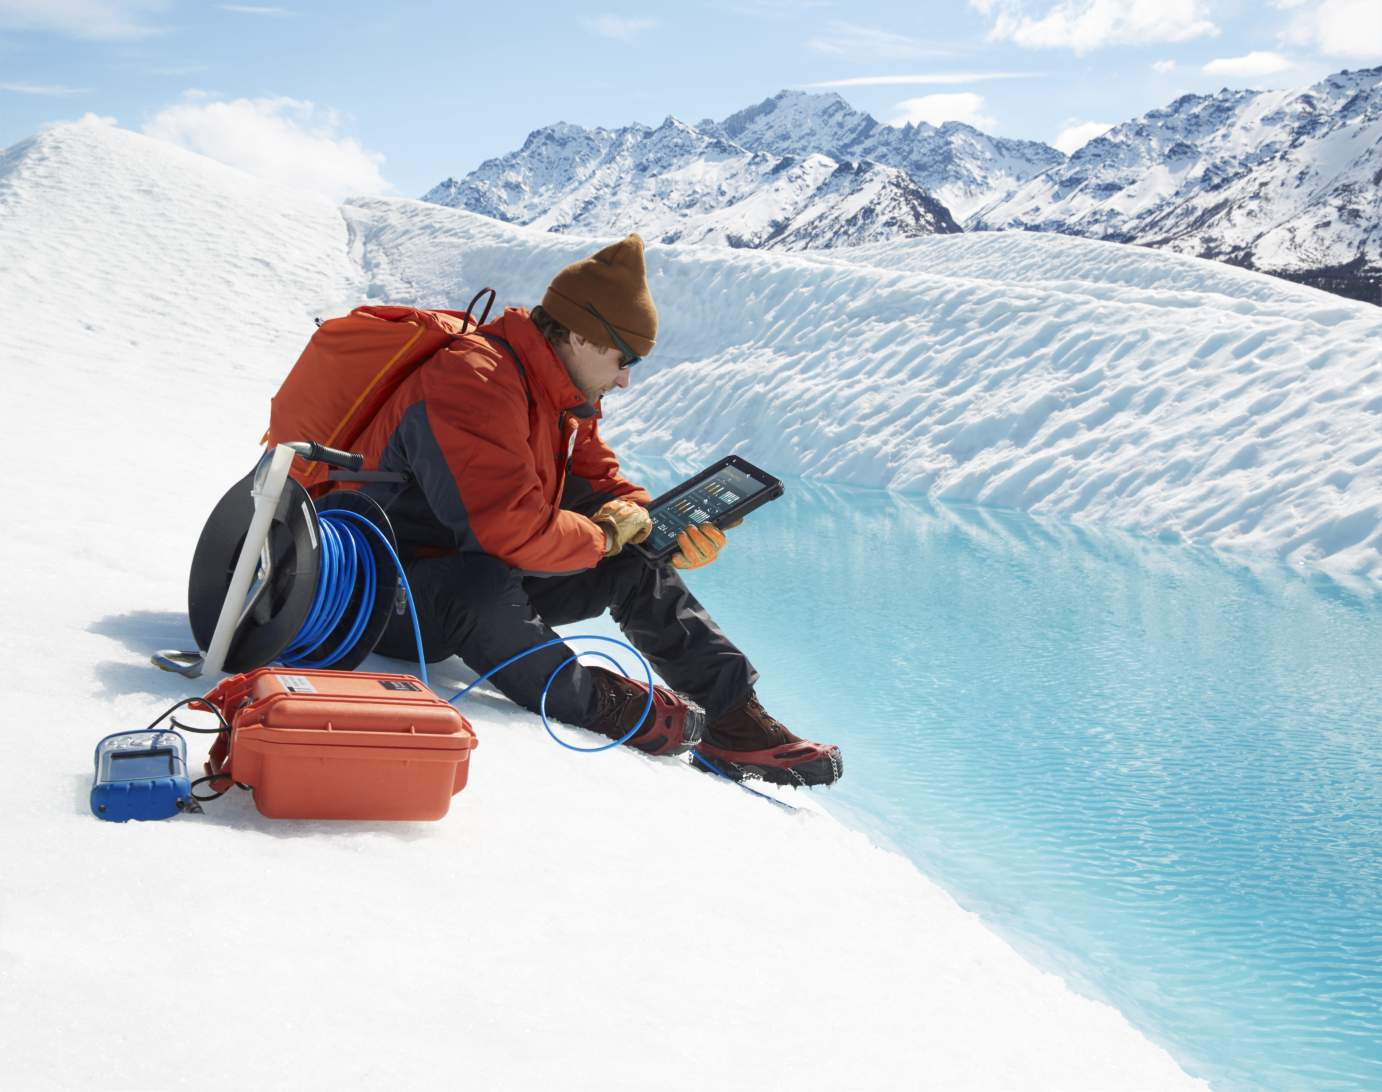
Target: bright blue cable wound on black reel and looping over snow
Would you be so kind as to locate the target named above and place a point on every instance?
(346, 558)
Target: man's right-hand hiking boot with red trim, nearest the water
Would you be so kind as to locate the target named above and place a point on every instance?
(750, 742)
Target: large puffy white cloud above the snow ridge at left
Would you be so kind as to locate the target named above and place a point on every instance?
(284, 140)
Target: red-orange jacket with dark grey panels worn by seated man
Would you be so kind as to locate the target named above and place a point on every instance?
(500, 457)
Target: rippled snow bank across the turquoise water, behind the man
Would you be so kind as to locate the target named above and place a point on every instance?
(1087, 381)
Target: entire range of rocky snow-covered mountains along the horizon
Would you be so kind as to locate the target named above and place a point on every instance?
(1287, 183)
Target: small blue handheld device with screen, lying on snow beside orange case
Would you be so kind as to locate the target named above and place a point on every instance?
(142, 775)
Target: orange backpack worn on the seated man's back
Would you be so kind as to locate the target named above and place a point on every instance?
(350, 368)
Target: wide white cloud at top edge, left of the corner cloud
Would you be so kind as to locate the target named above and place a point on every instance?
(1084, 26)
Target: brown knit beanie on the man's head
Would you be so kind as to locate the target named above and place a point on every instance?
(616, 284)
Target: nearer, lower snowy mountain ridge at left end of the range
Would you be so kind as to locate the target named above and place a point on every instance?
(679, 185)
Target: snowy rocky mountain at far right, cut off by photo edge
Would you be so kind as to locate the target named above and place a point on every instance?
(1282, 182)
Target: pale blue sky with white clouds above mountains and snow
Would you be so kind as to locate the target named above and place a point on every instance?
(366, 97)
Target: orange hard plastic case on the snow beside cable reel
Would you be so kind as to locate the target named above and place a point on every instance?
(320, 744)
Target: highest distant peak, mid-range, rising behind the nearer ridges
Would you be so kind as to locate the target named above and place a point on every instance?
(957, 164)
